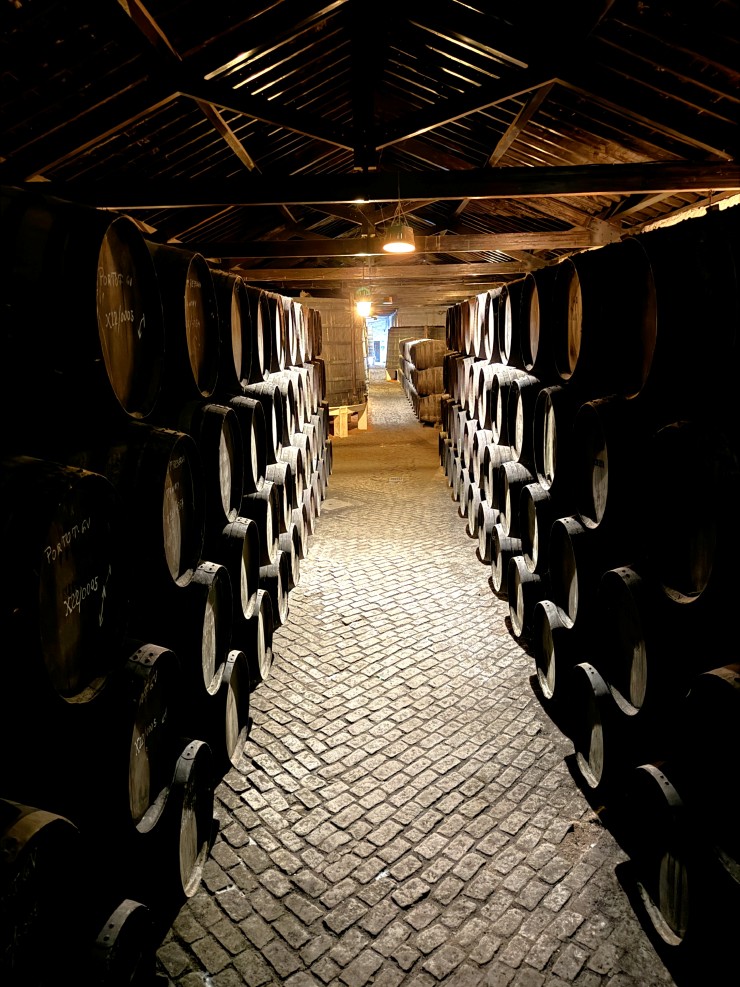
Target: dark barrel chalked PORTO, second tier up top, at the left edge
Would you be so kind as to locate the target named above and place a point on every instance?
(65, 589)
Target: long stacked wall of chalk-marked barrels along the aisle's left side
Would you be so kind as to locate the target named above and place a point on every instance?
(163, 466)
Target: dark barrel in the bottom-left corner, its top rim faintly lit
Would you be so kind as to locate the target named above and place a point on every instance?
(40, 856)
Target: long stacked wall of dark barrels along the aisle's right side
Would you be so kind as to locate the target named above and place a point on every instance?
(591, 444)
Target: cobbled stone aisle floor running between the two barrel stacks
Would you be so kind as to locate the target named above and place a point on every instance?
(404, 813)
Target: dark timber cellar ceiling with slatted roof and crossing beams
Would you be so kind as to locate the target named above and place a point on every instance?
(279, 138)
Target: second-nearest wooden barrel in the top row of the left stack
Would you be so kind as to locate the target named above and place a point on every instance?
(192, 347)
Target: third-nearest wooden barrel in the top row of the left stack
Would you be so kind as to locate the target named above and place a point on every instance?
(235, 359)
